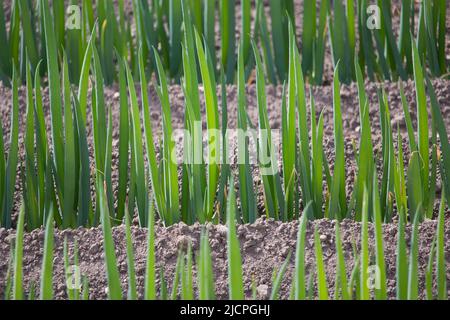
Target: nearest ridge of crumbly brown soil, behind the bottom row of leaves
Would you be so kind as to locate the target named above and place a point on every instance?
(264, 247)
